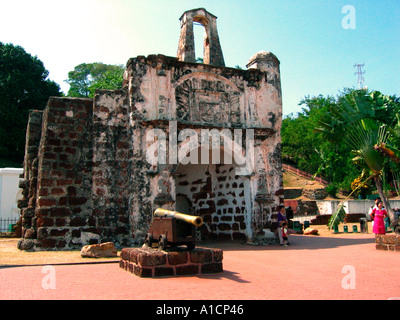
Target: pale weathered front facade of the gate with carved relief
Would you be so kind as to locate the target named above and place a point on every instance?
(204, 97)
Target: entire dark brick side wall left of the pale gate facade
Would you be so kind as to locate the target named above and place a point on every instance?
(75, 186)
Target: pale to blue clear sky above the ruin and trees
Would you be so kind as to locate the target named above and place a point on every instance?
(317, 54)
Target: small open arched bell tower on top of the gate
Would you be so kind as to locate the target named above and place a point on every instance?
(212, 47)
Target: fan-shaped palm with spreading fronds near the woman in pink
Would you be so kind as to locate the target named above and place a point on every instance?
(354, 121)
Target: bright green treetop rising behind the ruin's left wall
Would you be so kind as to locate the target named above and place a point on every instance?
(87, 77)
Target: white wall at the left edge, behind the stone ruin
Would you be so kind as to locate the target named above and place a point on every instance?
(10, 192)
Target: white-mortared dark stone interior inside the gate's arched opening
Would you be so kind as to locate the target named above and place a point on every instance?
(217, 194)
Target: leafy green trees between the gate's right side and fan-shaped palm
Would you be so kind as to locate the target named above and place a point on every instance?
(307, 149)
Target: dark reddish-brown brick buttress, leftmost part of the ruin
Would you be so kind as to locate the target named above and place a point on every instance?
(59, 180)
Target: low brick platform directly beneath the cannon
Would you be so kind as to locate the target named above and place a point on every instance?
(149, 262)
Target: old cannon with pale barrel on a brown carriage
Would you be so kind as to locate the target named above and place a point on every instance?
(171, 228)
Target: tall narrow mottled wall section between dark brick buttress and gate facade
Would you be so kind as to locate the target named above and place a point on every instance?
(111, 162)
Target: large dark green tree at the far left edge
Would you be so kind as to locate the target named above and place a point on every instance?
(24, 85)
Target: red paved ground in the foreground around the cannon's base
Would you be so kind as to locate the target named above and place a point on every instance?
(311, 268)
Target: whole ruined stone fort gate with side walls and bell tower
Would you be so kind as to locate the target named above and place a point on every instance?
(201, 139)
